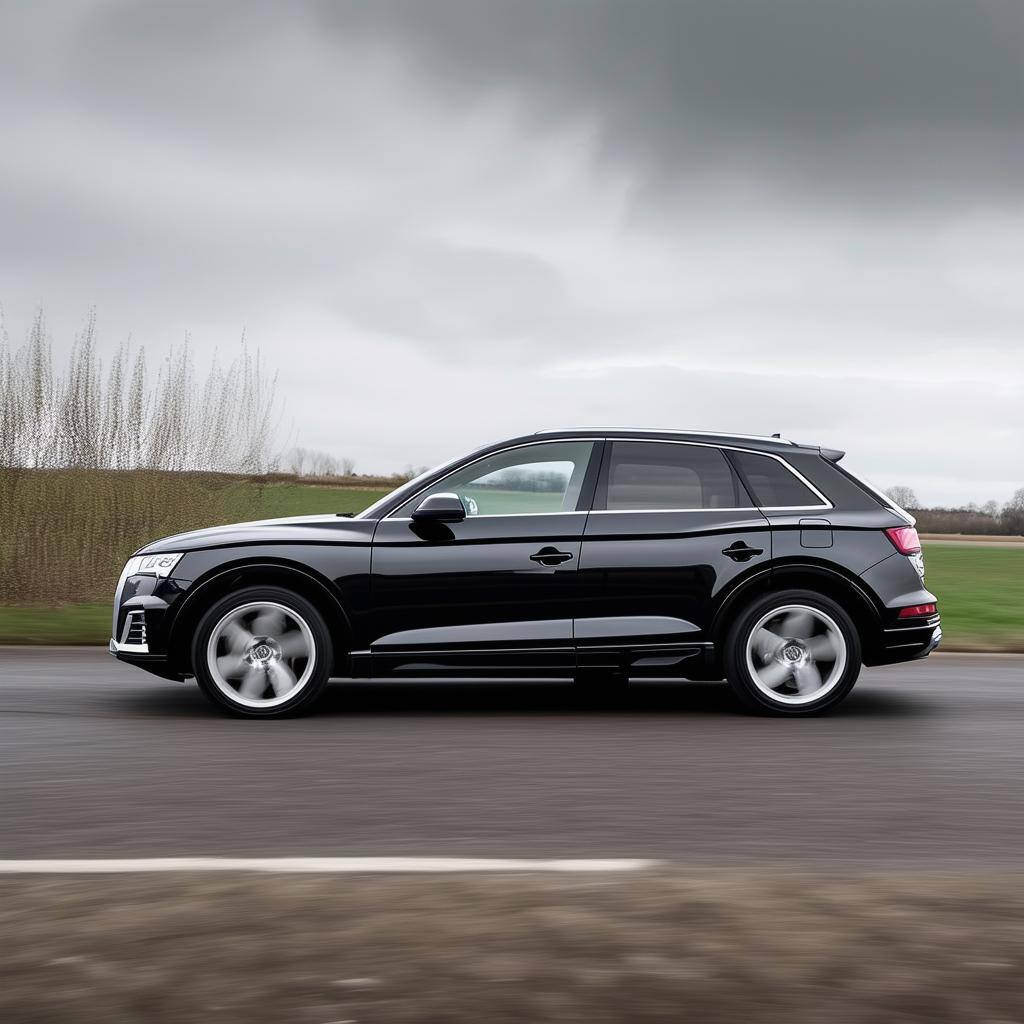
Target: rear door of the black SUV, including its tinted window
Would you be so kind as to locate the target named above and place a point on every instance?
(672, 529)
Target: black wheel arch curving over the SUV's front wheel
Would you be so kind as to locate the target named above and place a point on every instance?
(263, 572)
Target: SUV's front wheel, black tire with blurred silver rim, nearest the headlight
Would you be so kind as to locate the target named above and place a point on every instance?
(263, 653)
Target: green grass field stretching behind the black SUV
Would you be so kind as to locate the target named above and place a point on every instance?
(980, 588)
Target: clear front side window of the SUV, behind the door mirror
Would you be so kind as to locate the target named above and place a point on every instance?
(534, 479)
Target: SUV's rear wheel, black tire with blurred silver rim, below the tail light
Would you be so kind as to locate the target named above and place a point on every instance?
(793, 653)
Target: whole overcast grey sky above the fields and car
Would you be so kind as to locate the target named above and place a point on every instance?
(447, 223)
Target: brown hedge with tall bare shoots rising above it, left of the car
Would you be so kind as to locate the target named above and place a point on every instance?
(98, 458)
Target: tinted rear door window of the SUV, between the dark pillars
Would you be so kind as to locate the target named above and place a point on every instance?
(654, 476)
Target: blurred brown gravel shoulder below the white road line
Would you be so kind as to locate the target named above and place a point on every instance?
(713, 947)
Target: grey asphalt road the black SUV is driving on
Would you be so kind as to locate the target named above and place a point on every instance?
(922, 767)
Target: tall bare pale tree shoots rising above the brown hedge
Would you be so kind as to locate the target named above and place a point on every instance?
(123, 416)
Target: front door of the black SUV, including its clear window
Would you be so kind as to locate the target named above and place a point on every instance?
(493, 595)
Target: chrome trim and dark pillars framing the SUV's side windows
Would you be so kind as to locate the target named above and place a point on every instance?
(603, 446)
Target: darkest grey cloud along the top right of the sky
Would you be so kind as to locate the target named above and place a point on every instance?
(874, 101)
